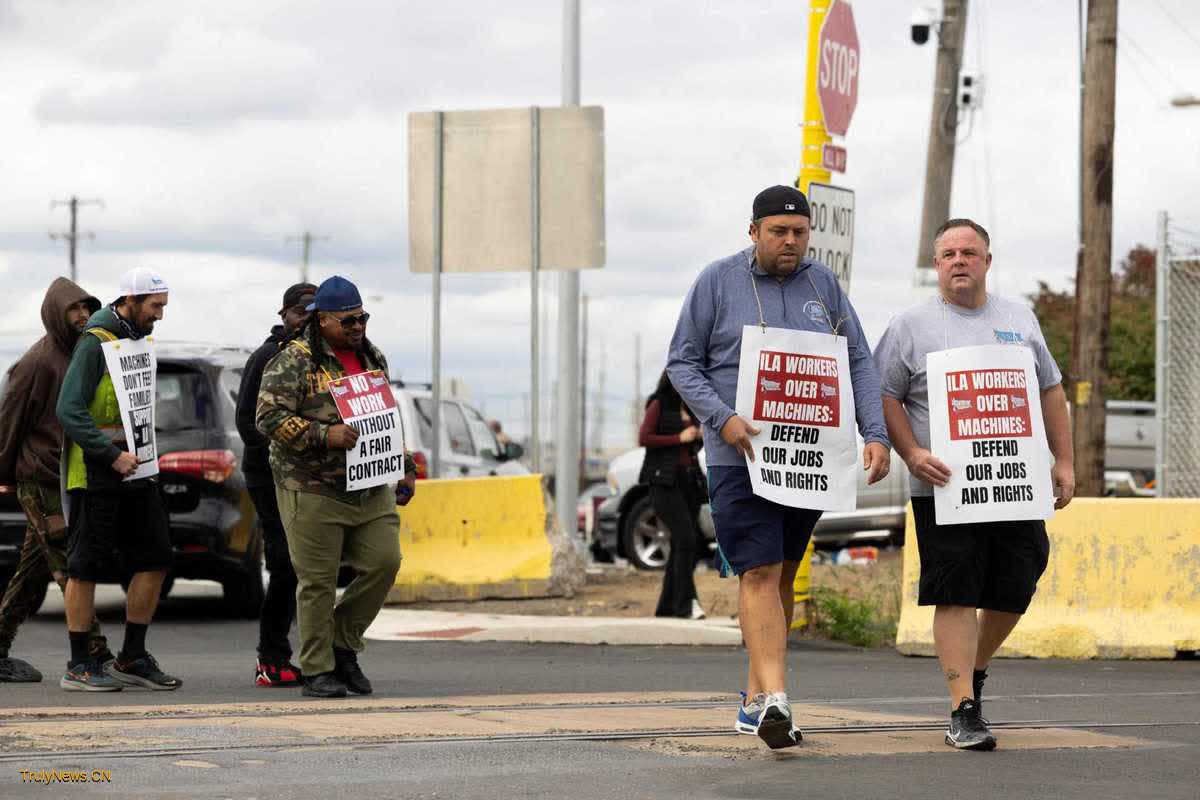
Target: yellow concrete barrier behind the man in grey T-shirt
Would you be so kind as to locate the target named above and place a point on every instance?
(1124, 582)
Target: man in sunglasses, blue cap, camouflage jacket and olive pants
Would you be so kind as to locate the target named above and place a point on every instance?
(326, 524)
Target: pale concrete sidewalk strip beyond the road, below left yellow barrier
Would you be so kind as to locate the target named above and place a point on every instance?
(412, 625)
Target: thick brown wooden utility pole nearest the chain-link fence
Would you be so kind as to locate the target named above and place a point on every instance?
(1094, 279)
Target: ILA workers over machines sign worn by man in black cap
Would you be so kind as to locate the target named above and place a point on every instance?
(795, 388)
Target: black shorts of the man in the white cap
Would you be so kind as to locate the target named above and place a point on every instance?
(128, 531)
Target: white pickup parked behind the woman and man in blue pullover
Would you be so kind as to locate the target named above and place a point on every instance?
(628, 527)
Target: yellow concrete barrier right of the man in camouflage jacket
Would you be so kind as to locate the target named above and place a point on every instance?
(471, 539)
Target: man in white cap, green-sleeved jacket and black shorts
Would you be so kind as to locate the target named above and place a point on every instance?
(110, 514)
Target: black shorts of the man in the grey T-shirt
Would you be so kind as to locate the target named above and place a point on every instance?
(992, 566)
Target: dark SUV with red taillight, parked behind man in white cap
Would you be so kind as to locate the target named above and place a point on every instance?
(214, 530)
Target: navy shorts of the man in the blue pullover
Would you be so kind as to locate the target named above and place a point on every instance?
(752, 531)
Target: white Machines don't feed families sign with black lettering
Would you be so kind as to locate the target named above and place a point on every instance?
(133, 368)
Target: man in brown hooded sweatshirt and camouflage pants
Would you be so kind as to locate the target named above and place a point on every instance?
(31, 444)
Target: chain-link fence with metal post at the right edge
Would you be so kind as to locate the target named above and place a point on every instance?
(1179, 410)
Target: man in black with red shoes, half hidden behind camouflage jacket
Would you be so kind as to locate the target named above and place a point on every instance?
(274, 667)
